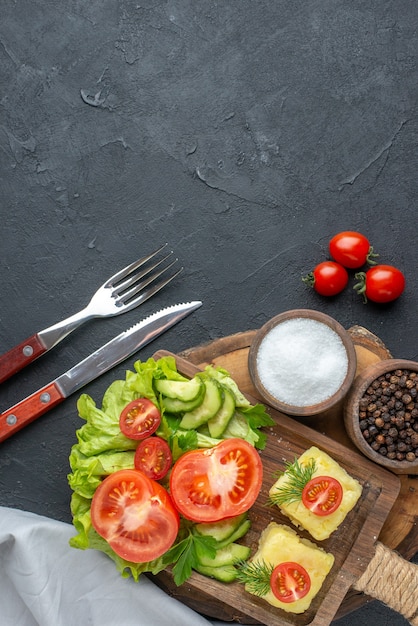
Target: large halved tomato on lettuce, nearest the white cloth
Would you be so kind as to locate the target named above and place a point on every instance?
(135, 515)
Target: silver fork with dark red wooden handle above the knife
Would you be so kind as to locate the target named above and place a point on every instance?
(123, 291)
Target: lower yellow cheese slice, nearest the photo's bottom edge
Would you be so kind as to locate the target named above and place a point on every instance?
(280, 544)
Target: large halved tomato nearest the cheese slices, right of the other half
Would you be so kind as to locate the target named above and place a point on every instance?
(216, 483)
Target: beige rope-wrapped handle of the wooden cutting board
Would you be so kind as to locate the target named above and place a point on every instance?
(392, 580)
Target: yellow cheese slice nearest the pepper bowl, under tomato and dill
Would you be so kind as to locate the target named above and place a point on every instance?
(320, 526)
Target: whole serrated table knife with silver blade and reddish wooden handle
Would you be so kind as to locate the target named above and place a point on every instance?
(109, 355)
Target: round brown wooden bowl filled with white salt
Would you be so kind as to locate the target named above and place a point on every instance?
(302, 362)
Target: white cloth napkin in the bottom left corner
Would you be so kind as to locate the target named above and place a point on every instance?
(45, 582)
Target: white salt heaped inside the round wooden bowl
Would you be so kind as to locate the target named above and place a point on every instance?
(302, 362)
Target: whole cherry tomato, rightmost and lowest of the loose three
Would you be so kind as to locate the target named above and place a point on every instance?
(382, 283)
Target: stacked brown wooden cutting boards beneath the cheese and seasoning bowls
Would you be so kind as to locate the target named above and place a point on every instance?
(353, 544)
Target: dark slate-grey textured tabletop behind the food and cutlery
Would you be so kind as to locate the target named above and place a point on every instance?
(245, 134)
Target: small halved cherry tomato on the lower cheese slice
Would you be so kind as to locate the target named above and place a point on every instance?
(290, 582)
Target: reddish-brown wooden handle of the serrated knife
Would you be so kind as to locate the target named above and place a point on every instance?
(29, 409)
